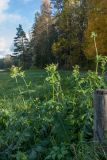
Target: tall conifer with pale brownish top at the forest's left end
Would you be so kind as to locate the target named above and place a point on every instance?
(43, 36)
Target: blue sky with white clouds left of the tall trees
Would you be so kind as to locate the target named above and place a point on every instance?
(13, 13)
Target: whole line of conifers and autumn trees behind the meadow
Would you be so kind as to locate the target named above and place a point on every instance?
(61, 34)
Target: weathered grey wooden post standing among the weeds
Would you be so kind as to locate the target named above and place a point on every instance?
(100, 115)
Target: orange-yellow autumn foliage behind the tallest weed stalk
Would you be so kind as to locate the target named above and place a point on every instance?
(97, 22)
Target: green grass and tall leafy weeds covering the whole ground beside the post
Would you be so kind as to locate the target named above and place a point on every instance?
(48, 115)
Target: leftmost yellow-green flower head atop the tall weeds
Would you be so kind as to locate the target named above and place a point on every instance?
(16, 71)
